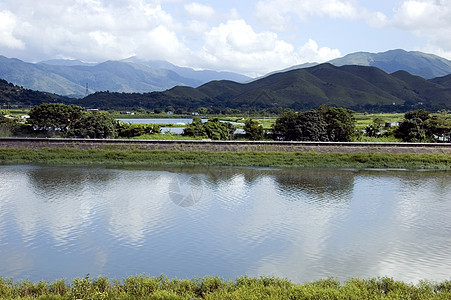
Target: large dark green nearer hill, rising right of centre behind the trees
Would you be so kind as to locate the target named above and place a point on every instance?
(356, 87)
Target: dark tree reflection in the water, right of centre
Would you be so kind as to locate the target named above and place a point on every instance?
(331, 186)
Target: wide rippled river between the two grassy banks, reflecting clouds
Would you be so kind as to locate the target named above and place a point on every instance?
(65, 222)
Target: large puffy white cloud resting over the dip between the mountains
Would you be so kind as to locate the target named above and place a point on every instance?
(235, 46)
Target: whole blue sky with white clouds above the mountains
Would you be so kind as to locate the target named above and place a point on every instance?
(251, 37)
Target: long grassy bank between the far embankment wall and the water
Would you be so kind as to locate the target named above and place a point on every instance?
(203, 158)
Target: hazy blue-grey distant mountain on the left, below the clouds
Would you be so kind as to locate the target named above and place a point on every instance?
(69, 77)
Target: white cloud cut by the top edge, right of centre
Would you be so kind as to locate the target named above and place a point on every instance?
(276, 13)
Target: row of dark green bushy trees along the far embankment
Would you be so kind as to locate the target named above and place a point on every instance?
(321, 124)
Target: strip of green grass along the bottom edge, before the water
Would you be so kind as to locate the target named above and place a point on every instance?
(141, 287)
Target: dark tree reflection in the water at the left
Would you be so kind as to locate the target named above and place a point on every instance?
(49, 180)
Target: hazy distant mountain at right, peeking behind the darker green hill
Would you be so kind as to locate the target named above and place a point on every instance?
(417, 63)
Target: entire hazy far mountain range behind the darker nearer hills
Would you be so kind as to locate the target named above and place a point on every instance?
(77, 79)
